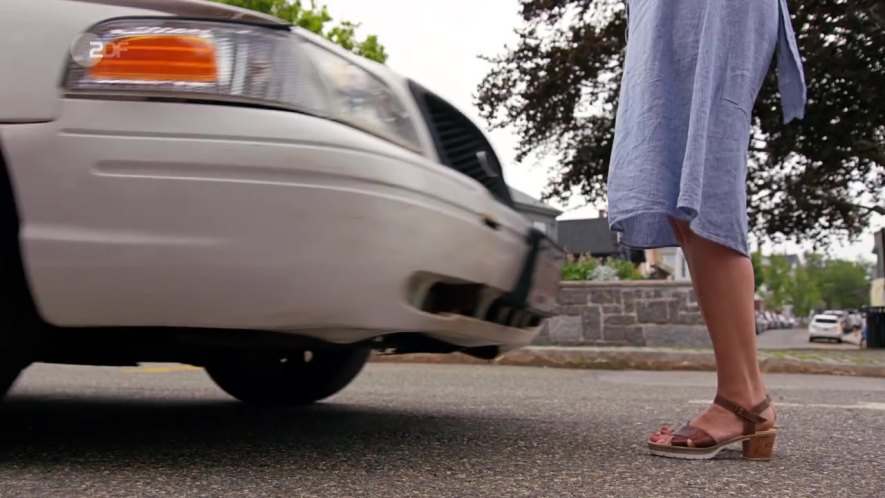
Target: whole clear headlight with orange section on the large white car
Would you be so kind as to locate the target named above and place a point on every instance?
(217, 61)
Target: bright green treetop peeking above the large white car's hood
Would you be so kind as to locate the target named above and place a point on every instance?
(316, 19)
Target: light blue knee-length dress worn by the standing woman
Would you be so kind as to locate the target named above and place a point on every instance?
(692, 73)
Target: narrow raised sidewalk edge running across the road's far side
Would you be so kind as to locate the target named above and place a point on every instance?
(865, 362)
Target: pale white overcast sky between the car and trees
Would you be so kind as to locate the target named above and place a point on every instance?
(438, 44)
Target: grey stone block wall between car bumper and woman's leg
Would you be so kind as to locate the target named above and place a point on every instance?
(629, 313)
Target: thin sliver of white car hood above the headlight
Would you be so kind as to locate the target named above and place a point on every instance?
(202, 9)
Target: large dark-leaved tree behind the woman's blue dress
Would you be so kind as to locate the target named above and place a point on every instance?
(558, 89)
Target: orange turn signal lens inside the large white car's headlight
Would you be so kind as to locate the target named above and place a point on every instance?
(189, 59)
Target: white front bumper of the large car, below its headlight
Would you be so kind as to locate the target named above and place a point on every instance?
(212, 216)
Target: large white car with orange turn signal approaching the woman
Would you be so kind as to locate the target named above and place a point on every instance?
(187, 181)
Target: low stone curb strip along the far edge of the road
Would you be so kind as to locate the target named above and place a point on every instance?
(634, 359)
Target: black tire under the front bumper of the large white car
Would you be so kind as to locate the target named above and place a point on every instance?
(289, 379)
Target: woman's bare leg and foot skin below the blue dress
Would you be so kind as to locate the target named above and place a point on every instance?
(723, 281)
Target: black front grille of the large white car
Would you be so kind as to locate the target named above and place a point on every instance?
(461, 145)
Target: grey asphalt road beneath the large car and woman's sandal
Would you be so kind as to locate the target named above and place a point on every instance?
(423, 430)
